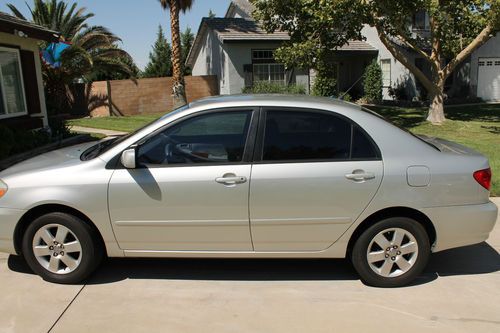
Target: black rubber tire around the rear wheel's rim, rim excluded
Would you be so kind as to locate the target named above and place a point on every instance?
(359, 255)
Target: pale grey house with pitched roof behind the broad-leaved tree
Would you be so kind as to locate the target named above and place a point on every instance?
(239, 52)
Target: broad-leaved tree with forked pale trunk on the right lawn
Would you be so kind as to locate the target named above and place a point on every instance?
(457, 28)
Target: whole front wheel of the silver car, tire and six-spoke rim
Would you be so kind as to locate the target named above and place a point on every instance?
(61, 248)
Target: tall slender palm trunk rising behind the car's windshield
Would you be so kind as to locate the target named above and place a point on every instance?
(178, 90)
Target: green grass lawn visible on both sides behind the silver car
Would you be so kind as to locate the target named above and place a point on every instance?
(476, 126)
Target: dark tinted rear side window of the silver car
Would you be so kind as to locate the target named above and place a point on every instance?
(303, 135)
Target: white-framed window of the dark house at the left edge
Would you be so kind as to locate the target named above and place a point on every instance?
(12, 98)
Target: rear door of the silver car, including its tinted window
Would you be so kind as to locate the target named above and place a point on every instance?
(314, 173)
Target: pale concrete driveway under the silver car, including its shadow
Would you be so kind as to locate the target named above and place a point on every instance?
(459, 292)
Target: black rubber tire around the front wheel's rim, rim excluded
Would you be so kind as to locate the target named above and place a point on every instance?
(91, 251)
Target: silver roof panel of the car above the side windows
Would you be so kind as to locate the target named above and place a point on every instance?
(273, 100)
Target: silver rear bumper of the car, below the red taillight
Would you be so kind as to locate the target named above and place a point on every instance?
(461, 225)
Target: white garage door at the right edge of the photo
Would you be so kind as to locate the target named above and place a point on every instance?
(488, 79)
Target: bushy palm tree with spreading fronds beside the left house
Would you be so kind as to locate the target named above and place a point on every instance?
(93, 51)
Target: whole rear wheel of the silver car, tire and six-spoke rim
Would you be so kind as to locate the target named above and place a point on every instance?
(391, 253)
